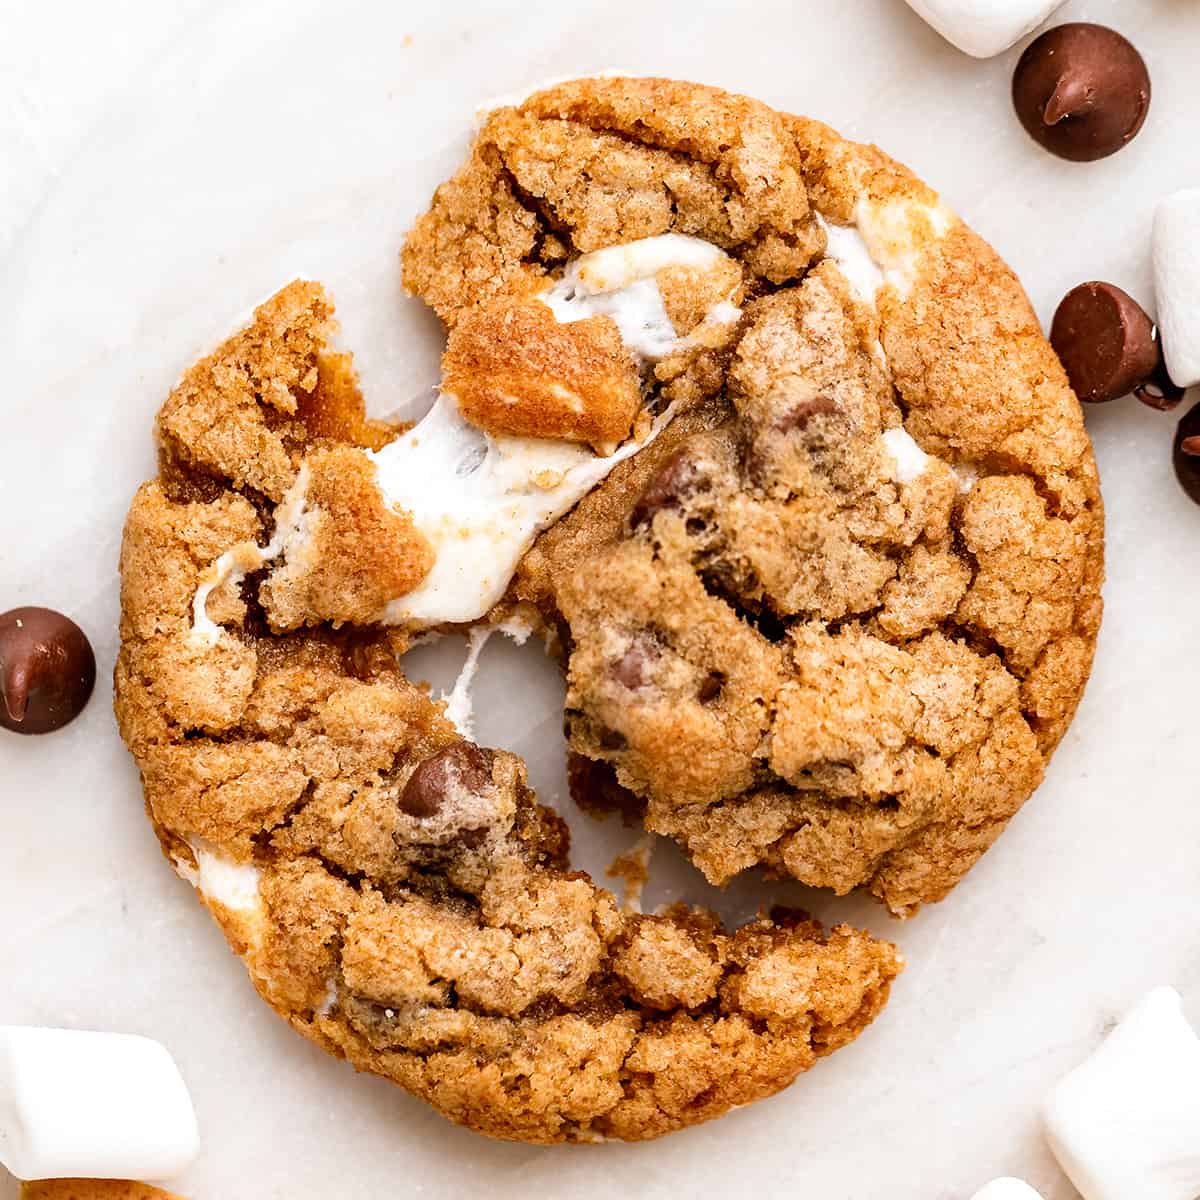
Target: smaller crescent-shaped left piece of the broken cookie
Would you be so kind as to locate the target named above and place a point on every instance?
(397, 892)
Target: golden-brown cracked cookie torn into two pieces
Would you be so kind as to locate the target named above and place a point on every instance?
(832, 617)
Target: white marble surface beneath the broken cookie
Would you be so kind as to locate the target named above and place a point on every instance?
(165, 166)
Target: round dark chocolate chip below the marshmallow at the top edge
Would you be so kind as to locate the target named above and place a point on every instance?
(1082, 92)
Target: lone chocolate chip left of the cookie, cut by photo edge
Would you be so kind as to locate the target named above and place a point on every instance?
(47, 670)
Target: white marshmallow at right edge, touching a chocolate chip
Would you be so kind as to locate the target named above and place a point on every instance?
(1178, 284)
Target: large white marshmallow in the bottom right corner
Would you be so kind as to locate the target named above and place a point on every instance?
(1127, 1123)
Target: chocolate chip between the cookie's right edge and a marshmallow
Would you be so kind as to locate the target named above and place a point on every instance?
(1106, 341)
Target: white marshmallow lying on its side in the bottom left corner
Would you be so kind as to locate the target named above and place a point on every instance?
(92, 1106)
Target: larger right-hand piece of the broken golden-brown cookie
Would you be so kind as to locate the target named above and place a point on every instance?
(771, 548)
